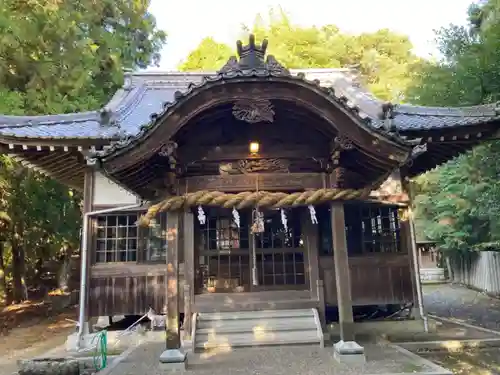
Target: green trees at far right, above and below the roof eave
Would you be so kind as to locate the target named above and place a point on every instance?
(459, 201)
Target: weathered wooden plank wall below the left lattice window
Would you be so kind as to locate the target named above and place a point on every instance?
(129, 289)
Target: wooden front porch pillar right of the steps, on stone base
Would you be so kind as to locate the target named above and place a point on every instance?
(342, 274)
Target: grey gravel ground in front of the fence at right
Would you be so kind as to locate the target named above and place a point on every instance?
(458, 302)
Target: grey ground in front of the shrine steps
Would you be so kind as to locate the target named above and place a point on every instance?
(280, 360)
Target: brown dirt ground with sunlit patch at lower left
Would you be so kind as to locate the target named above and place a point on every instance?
(29, 330)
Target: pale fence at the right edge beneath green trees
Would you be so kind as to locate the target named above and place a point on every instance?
(478, 270)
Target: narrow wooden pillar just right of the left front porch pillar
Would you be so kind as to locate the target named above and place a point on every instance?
(188, 229)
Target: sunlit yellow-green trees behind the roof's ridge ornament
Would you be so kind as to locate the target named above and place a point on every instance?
(383, 58)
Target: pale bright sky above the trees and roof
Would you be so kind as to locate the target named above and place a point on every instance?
(187, 22)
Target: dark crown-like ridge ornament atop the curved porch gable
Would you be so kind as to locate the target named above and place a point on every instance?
(253, 57)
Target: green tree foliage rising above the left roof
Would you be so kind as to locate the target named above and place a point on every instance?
(66, 56)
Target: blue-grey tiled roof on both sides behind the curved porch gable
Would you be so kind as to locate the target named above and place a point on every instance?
(144, 94)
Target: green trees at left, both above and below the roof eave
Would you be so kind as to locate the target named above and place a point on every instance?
(58, 57)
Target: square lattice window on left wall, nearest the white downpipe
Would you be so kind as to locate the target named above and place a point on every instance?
(116, 238)
